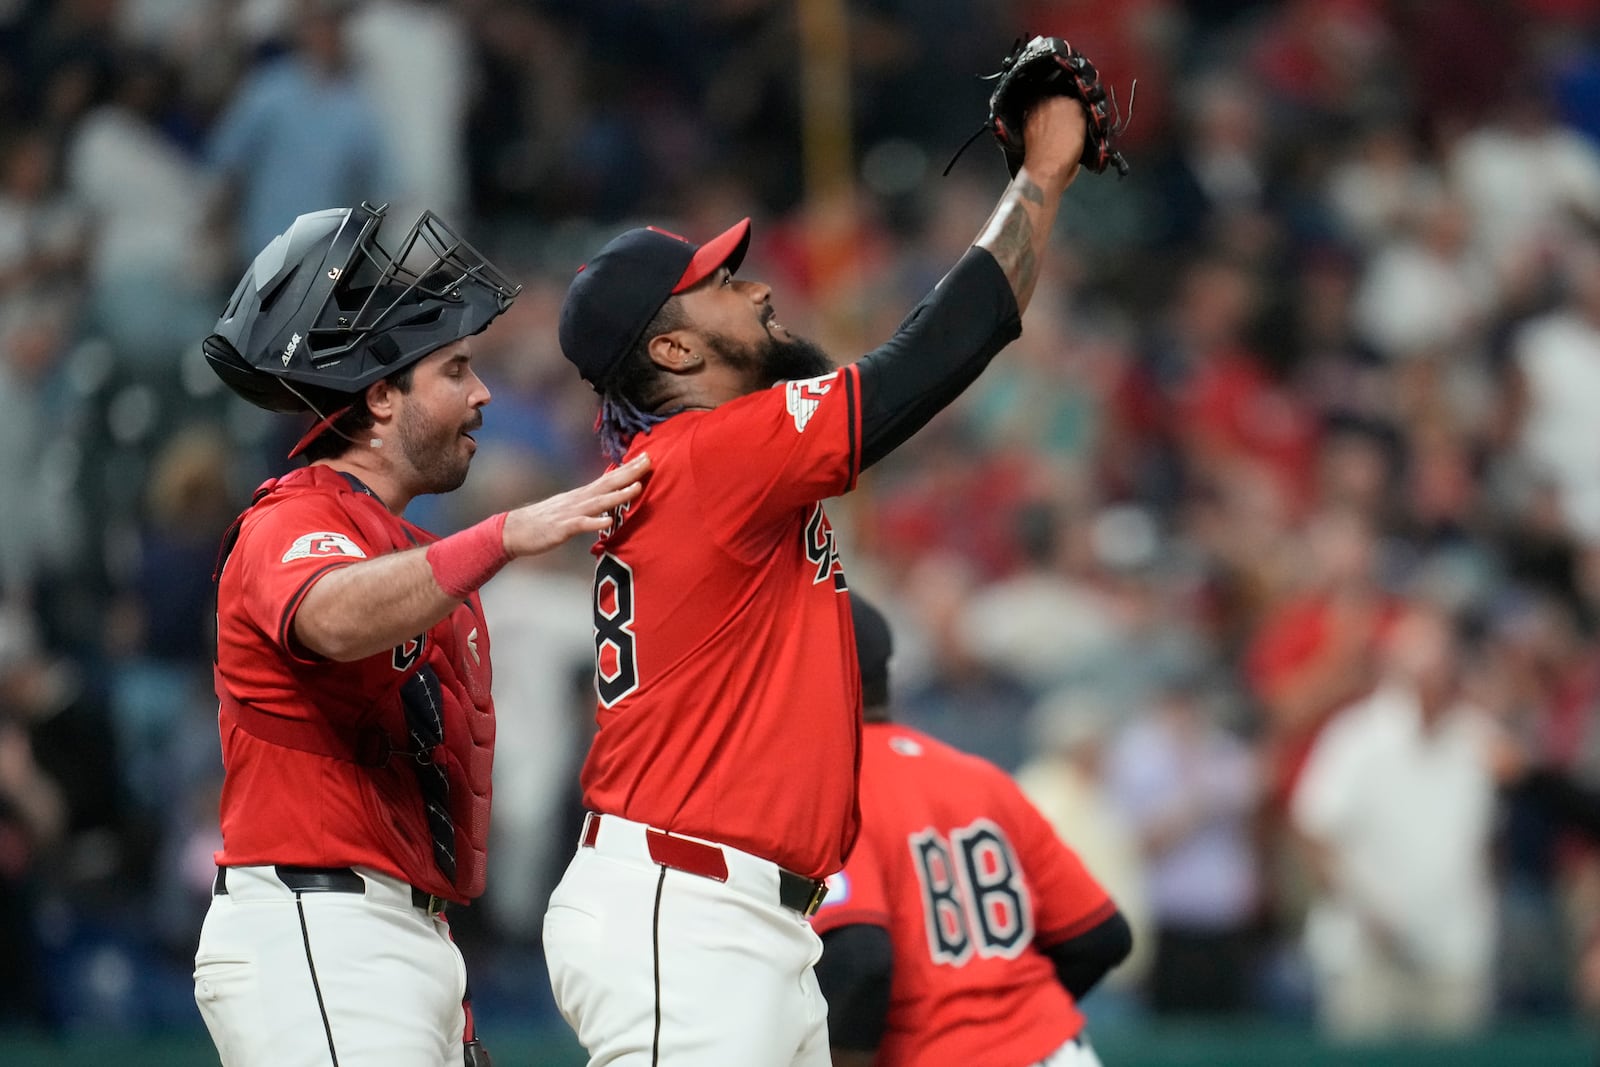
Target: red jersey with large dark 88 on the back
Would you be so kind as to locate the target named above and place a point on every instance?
(970, 881)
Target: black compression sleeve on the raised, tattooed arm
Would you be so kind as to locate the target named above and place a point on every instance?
(940, 350)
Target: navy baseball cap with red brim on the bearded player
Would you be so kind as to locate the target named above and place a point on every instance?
(615, 295)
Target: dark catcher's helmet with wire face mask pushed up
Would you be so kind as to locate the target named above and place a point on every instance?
(326, 311)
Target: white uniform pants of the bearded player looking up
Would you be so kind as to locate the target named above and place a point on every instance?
(655, 967)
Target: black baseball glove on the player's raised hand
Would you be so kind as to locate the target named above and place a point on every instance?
(1049, 66)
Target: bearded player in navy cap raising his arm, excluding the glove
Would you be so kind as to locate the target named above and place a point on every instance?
(722, 780)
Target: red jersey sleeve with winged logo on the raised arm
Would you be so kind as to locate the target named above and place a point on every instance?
(788, 447)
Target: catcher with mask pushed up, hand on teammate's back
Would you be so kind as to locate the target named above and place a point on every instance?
(353, 663)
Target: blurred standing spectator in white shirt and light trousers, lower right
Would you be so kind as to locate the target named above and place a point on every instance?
(1398, 809)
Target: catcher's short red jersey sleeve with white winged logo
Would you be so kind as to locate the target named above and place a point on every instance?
(282, 554)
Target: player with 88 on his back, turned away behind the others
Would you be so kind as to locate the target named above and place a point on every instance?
(962, 930)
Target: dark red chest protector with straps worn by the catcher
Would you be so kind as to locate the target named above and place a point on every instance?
(449, 668)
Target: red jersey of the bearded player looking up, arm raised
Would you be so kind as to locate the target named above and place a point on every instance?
(726, 661)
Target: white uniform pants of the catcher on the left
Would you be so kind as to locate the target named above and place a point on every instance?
(308, 980)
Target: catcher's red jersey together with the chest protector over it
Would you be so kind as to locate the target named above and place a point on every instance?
(287, 805)
